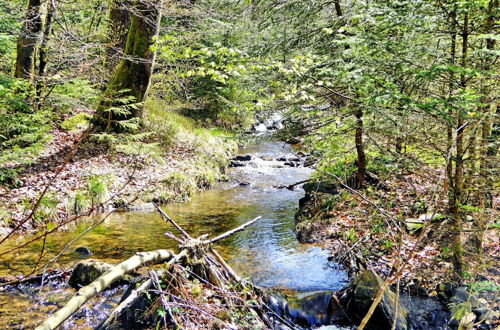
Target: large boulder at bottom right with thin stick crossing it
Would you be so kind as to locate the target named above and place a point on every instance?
(367, 285)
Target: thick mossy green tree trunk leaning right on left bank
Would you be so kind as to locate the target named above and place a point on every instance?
(133, 74)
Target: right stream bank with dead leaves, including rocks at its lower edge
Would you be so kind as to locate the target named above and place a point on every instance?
(359, 229)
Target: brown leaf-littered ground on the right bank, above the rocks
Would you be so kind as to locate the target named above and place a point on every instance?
(356, 232)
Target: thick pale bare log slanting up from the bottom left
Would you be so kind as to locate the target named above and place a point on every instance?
(105, 280)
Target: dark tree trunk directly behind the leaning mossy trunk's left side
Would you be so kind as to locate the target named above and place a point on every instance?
(119, 24)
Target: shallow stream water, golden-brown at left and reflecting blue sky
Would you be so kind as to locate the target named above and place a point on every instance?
(267, 252)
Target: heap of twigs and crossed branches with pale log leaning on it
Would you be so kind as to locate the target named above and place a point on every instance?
(197, 264)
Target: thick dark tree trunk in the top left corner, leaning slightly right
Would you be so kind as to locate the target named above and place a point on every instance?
(28, 41)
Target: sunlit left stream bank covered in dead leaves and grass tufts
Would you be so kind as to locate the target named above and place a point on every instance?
(100, 173)
